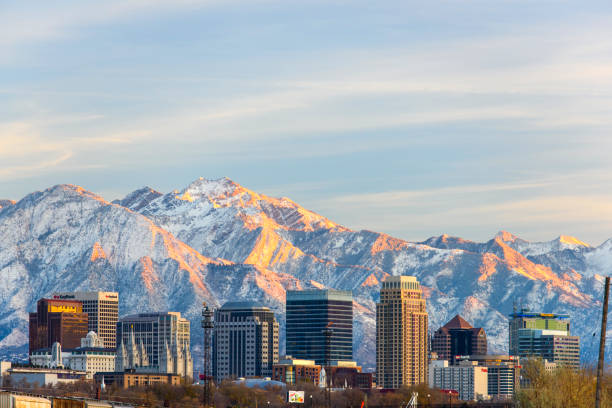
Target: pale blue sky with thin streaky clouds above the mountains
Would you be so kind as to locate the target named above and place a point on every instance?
(414, 118)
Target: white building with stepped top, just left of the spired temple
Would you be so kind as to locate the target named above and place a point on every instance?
(90, 357)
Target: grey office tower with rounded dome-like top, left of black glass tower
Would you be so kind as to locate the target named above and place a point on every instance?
(245, 341)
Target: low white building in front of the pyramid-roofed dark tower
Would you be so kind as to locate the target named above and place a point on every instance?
(467, 378)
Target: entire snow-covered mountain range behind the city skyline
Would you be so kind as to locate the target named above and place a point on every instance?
(216, 240)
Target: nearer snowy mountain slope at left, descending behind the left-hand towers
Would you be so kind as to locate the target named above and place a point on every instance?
(66, 238)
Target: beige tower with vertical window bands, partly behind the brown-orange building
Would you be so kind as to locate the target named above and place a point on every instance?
(102, 309)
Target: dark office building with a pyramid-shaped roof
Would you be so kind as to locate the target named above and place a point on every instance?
(458, 338)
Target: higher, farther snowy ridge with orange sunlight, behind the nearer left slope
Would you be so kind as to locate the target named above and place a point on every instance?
(220, 218)
